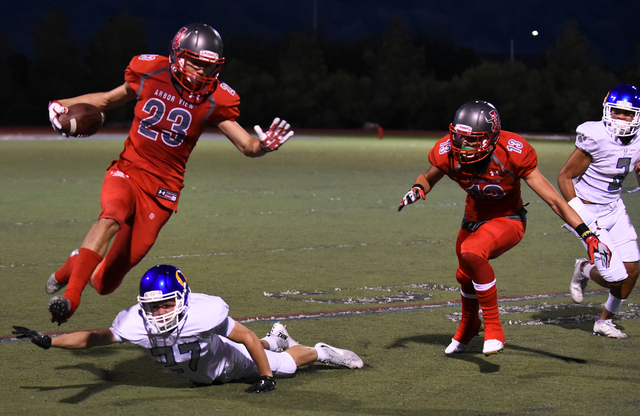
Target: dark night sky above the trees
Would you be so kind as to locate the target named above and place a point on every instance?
(485, 26)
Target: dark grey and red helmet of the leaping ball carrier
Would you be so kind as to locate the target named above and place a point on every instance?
(196, 59)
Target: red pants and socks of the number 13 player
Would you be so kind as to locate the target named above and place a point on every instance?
(474, 250)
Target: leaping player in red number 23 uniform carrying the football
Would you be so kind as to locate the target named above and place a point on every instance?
(177, 98)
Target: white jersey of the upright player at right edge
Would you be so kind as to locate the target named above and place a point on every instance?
(611, 162)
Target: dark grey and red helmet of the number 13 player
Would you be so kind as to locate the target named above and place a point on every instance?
(474, 131)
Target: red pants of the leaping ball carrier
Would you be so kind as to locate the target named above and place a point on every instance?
(140, 218)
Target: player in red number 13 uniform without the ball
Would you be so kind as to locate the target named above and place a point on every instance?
(488, 163)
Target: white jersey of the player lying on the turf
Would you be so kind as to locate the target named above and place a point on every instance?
(197, 350)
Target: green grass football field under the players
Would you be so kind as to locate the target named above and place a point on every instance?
(310, 230)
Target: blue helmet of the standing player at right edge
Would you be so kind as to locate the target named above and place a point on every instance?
(623, 97)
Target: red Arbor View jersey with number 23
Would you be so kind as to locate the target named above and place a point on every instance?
(166, 127)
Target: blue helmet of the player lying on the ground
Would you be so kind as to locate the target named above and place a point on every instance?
(160, 284)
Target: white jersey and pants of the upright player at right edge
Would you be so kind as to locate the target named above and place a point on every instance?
(601, 186)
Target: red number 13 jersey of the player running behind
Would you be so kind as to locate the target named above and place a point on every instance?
(496, 191)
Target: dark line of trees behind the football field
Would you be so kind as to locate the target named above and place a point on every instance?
(397, 79)
